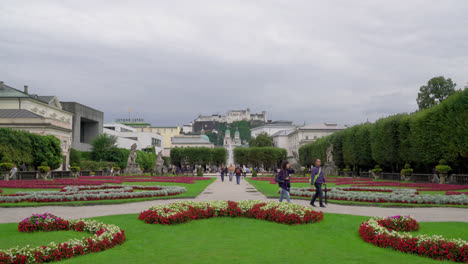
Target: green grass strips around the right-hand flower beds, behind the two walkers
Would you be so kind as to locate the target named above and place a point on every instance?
(271, 191)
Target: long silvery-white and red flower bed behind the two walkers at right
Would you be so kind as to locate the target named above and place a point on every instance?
(408, 196)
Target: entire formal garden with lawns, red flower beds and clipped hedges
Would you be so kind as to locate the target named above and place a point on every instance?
(183, 229)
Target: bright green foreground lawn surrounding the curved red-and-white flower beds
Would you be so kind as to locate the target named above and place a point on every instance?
(239, 240)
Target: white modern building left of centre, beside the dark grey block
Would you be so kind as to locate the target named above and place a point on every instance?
(127, 136)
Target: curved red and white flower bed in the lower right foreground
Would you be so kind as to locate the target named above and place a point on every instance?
(385, 232)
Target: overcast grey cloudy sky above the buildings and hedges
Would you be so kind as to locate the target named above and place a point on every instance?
(168, 61)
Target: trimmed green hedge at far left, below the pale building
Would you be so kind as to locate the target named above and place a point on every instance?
(22, 146)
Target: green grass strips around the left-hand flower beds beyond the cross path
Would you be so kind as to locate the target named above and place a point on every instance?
(193, 190)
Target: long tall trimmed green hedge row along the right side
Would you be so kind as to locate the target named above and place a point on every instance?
(421, 139)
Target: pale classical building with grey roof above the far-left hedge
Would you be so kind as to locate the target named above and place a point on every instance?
(42, 115)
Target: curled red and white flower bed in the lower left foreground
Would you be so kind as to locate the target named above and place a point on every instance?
(104, 236)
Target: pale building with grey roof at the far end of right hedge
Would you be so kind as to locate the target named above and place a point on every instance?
(292, 140)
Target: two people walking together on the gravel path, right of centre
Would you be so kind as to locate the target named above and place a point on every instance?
(317, 180)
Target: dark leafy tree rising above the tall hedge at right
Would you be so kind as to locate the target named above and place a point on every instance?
(436, 90)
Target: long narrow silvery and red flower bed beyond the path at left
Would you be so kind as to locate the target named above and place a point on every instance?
(93, 193)
